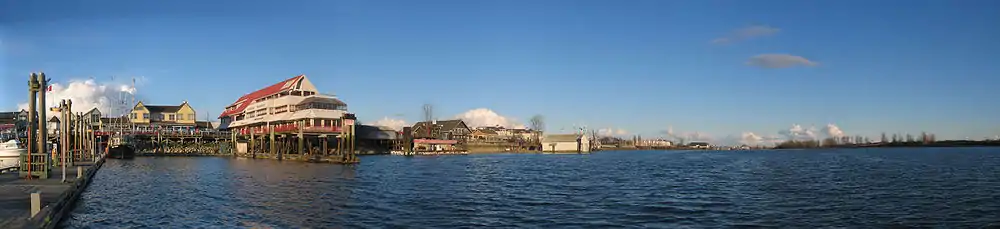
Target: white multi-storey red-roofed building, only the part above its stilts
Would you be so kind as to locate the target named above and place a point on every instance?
(286, 107)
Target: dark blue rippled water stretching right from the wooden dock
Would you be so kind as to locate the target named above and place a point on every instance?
(944, 187)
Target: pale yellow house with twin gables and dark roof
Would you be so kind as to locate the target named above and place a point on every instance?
(181, 115)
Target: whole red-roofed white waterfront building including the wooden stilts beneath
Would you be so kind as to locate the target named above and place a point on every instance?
(291, 120)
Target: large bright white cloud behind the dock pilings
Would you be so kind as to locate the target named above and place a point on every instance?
(88, 94)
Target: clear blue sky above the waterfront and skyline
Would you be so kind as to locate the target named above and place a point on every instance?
(640, 66)
